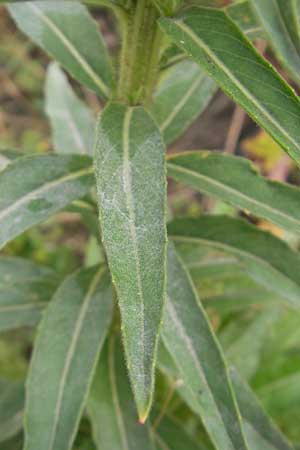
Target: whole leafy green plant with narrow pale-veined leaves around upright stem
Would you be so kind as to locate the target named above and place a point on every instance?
(125, 353)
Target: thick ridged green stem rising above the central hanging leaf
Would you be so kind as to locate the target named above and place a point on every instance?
(140, 54)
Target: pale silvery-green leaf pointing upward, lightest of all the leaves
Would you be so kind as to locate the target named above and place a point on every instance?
(72, 122)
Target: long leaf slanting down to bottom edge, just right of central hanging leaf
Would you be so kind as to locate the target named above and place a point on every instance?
(190, 340)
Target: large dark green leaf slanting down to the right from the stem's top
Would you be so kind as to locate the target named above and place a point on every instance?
(219, 47)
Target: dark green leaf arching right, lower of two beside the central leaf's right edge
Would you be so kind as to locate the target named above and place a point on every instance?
(266, 258)
